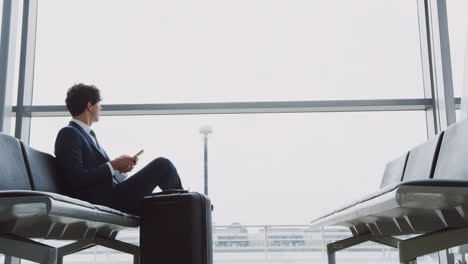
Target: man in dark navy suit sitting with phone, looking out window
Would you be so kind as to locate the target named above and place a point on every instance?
(88, 172)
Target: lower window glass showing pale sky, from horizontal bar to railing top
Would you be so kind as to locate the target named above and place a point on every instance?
(264, 168)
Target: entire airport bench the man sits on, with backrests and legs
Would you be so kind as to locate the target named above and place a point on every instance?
(33, 205)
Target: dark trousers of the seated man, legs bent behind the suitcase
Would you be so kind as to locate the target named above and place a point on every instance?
(128, 195)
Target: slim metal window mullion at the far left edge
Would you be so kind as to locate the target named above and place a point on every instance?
(7, 61)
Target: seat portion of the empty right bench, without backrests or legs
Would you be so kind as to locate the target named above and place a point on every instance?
(408, 199)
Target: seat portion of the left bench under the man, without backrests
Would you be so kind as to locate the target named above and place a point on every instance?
(56, 216)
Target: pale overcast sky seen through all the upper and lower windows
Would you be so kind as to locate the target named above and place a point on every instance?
(263, 168)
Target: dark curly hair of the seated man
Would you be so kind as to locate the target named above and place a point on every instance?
(78, 97)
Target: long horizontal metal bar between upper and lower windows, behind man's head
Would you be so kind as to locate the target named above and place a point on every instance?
(241, 107)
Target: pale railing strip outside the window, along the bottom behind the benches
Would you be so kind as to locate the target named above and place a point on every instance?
(259, 244)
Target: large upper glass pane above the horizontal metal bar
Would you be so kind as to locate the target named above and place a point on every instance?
(214, 51)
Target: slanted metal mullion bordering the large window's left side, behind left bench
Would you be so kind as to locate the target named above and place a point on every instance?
(26, 71)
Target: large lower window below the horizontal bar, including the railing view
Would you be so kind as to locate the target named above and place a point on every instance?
(264, 169)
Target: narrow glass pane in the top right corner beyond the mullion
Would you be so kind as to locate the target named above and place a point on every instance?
(458, 32)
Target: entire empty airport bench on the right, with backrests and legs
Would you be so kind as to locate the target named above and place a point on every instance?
(423, 193)
